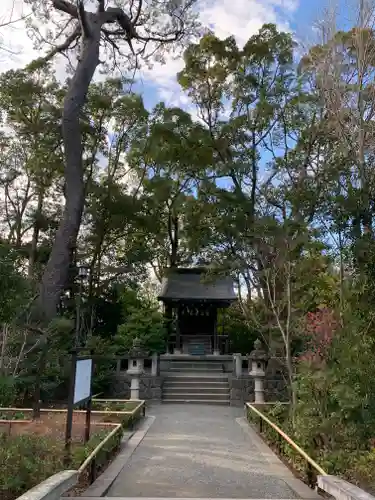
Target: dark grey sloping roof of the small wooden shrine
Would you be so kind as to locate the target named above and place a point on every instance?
(193, 284)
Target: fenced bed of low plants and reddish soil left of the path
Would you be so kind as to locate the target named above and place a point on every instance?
(30, 452)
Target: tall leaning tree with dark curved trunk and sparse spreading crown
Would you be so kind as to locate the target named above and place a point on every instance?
(108, 27)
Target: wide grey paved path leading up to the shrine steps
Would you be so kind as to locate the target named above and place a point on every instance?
(195, 451)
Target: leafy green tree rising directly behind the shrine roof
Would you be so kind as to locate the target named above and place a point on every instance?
(171, 156)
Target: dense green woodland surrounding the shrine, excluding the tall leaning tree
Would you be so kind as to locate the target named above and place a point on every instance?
(270, 180)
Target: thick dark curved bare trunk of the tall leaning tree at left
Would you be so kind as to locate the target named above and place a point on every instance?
(56, 272)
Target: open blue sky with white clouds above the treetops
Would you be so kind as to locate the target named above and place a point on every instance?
(241, 18)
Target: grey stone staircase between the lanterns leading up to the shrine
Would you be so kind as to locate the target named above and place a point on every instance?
(196, 381)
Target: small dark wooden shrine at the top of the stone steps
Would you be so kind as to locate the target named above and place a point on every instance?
(192, 299)
